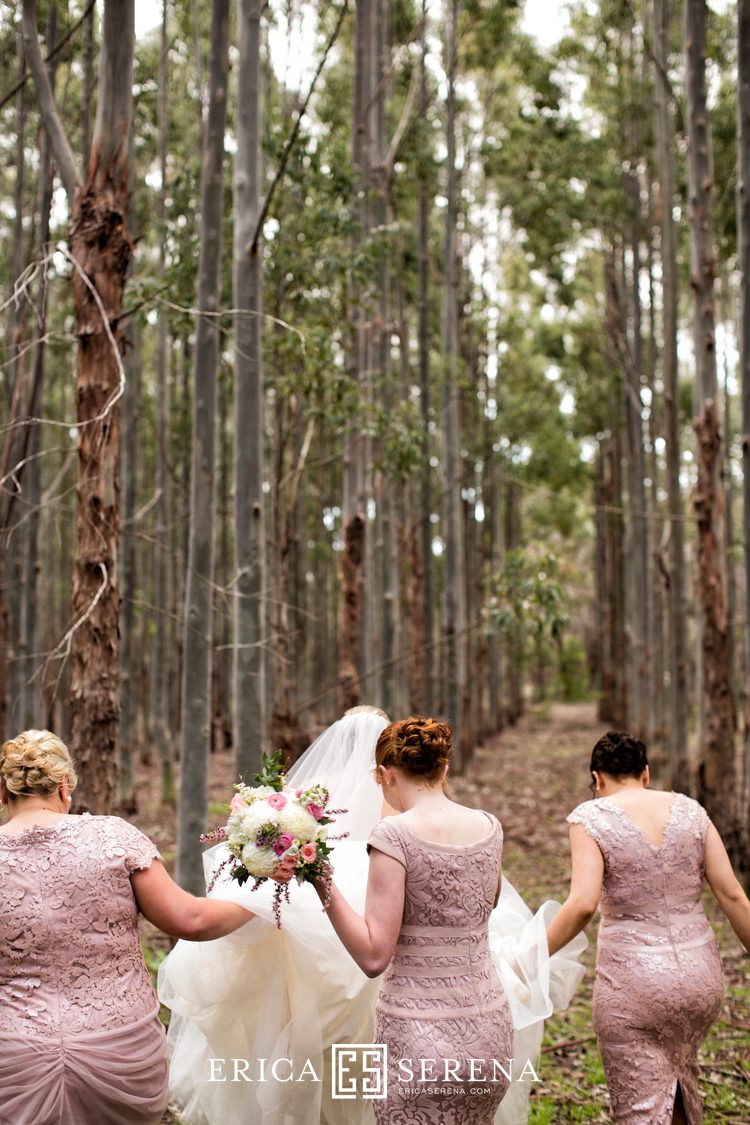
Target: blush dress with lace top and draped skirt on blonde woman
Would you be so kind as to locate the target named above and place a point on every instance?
(80, 1038)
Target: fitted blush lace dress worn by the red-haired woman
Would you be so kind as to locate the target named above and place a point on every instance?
(441, 1000)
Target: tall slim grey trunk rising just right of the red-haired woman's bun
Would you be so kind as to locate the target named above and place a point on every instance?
(456, 588)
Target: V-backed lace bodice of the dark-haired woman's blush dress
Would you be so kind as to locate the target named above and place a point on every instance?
(649, 894)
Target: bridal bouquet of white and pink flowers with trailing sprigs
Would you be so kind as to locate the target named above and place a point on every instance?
(274, 831)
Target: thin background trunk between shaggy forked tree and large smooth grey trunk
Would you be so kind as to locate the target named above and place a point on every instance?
(161, 736)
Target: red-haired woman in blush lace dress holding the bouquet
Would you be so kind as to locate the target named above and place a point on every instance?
(433, 881)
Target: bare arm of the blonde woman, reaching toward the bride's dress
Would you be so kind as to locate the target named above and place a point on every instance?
(180, 914)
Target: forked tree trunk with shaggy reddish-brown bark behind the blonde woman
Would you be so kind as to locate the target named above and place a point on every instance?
(101, 253)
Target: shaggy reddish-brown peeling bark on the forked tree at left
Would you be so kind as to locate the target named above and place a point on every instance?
(101, 245)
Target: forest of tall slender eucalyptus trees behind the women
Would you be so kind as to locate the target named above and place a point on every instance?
(388, 352)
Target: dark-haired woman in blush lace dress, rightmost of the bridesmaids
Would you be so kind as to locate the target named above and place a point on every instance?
(641, 856)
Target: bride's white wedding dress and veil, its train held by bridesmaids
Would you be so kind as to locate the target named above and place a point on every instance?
(290, 994)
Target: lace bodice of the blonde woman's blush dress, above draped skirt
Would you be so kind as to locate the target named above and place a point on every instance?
(70, 959)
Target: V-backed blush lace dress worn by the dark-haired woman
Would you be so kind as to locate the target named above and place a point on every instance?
(659, 983)
